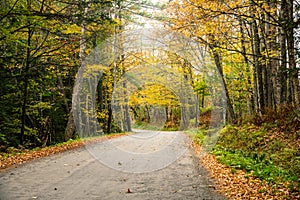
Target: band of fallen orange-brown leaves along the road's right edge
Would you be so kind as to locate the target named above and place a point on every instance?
(238, 185)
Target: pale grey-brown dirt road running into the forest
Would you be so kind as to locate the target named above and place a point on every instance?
(146, 165)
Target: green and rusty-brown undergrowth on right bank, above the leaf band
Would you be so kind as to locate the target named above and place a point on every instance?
(266, 146)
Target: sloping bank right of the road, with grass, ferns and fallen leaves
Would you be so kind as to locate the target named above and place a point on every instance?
(256, 158)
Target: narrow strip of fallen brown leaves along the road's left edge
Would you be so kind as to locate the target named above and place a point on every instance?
(7, 160)
